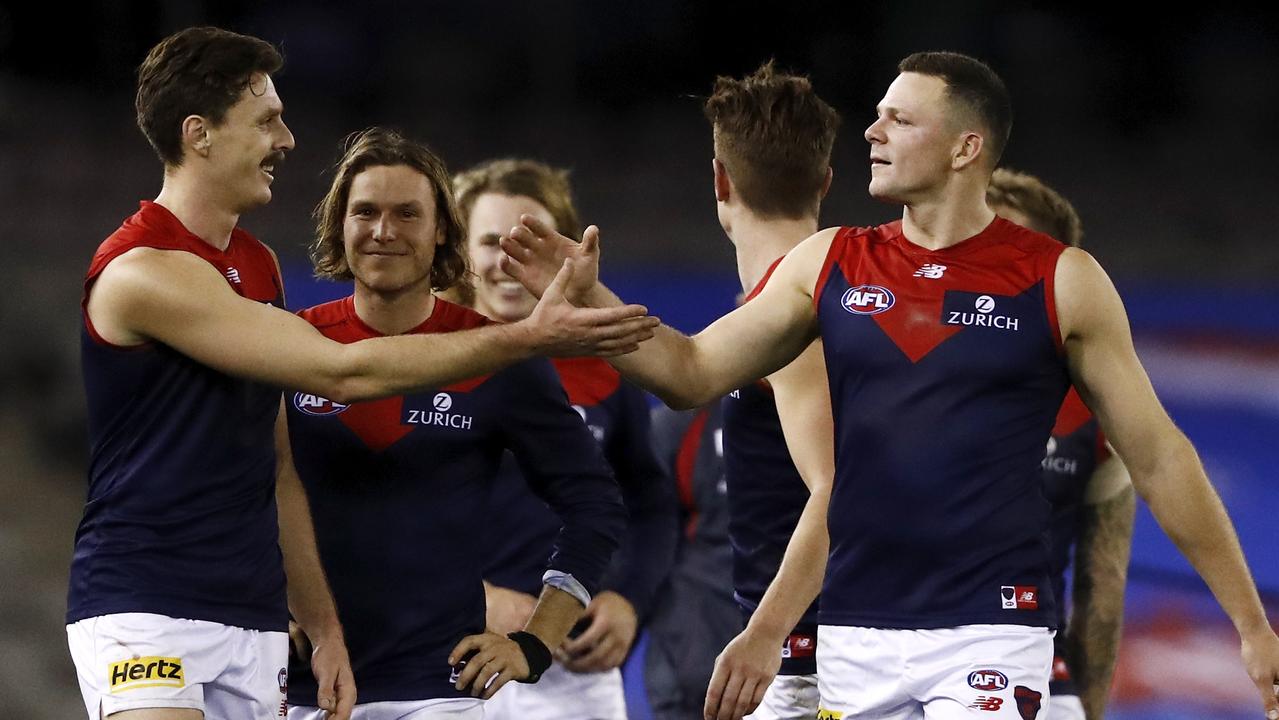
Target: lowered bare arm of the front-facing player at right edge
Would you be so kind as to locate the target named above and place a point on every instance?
(1165, 466)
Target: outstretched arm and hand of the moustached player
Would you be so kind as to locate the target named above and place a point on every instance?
(178, 300)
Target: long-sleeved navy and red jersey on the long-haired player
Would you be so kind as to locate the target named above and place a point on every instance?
(400, 493)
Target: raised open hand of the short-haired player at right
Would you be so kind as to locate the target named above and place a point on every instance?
(535, 253)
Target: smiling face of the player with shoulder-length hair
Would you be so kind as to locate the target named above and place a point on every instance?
(391, 230)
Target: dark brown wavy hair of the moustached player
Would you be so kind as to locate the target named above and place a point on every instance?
(201, 72)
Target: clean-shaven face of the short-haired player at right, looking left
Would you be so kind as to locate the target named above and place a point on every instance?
(914, 140)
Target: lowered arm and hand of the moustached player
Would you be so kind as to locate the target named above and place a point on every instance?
(310, 599)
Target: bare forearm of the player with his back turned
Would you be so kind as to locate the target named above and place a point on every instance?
(801, 575)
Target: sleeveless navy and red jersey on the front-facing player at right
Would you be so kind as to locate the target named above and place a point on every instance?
(946, 379)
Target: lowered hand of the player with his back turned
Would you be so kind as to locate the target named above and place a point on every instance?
(744, 672)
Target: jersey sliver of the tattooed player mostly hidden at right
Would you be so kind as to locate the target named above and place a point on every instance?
(1075, 451)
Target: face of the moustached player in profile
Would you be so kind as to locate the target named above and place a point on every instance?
(245, 149)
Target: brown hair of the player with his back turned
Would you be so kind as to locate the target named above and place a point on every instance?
(774, 137)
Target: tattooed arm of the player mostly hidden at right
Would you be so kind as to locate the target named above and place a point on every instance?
(1101, 576)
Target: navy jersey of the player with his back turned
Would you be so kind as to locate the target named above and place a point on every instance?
(765, 496)
